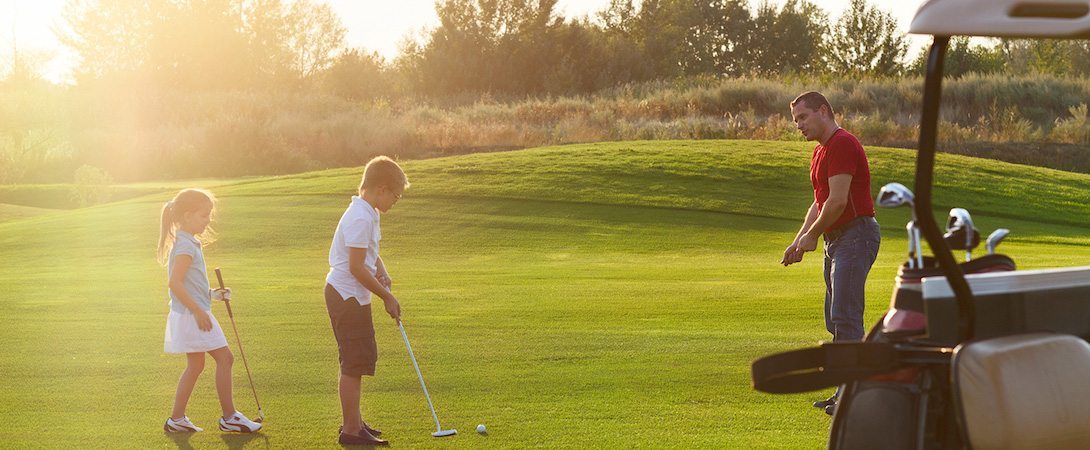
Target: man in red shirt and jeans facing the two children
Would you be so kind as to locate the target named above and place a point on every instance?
(843, 213)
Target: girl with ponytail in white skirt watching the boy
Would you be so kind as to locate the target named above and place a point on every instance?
(191, 329)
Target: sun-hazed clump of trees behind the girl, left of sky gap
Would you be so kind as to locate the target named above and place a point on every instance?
(202, 44)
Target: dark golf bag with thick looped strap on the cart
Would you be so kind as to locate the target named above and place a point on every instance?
(895, 390)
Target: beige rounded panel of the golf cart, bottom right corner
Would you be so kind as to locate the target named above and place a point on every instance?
(1024, 392)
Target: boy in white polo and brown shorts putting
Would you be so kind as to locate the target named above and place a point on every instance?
(356, 272)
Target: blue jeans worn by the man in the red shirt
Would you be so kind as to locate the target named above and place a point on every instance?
(849, 261)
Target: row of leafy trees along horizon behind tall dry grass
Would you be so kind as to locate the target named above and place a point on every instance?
(511, 47)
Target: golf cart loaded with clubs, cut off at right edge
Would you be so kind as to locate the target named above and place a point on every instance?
(974, 355)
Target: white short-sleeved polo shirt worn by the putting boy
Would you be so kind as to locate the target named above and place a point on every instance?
(358, 229)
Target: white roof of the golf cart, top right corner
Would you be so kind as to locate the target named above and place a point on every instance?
(1018, 19)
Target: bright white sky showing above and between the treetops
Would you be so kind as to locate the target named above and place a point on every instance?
(377, 26)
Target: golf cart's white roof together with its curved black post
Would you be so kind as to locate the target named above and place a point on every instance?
(1014, 19)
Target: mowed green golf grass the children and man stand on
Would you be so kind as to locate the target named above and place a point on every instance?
(603, 296)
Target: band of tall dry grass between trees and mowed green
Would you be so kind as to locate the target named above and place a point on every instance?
(142, 136)
